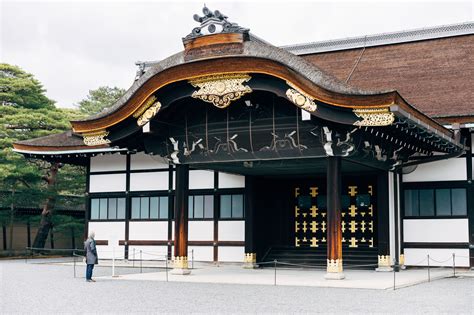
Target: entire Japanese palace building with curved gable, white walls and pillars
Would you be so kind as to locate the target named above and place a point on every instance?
(345, 152)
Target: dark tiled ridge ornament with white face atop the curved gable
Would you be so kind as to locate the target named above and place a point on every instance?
(214, 23)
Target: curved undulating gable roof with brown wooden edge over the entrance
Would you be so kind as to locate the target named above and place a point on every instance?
(248, 56)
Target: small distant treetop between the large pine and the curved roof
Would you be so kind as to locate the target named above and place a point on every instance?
(99, 99)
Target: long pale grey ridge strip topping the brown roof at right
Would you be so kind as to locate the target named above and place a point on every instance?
(382, 39)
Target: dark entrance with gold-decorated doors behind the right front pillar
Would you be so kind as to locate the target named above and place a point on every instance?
(290, 219)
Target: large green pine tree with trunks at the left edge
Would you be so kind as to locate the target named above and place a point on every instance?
(26, 113)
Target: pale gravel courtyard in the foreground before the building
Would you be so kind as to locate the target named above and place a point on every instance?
(46, 288)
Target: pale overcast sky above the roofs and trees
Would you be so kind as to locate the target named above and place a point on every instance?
(75, 46)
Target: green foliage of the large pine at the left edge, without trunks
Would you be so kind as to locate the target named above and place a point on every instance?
(26, 113)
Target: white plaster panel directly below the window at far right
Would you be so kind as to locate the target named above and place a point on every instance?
(436, 230)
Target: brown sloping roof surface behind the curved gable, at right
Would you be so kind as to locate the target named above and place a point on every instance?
(436, 76)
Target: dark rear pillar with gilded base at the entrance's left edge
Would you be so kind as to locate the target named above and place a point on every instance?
(250, 259)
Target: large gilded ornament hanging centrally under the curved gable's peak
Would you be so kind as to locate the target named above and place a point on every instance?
(220, 90)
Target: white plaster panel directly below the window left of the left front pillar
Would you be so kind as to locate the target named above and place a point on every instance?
(156, 231)
